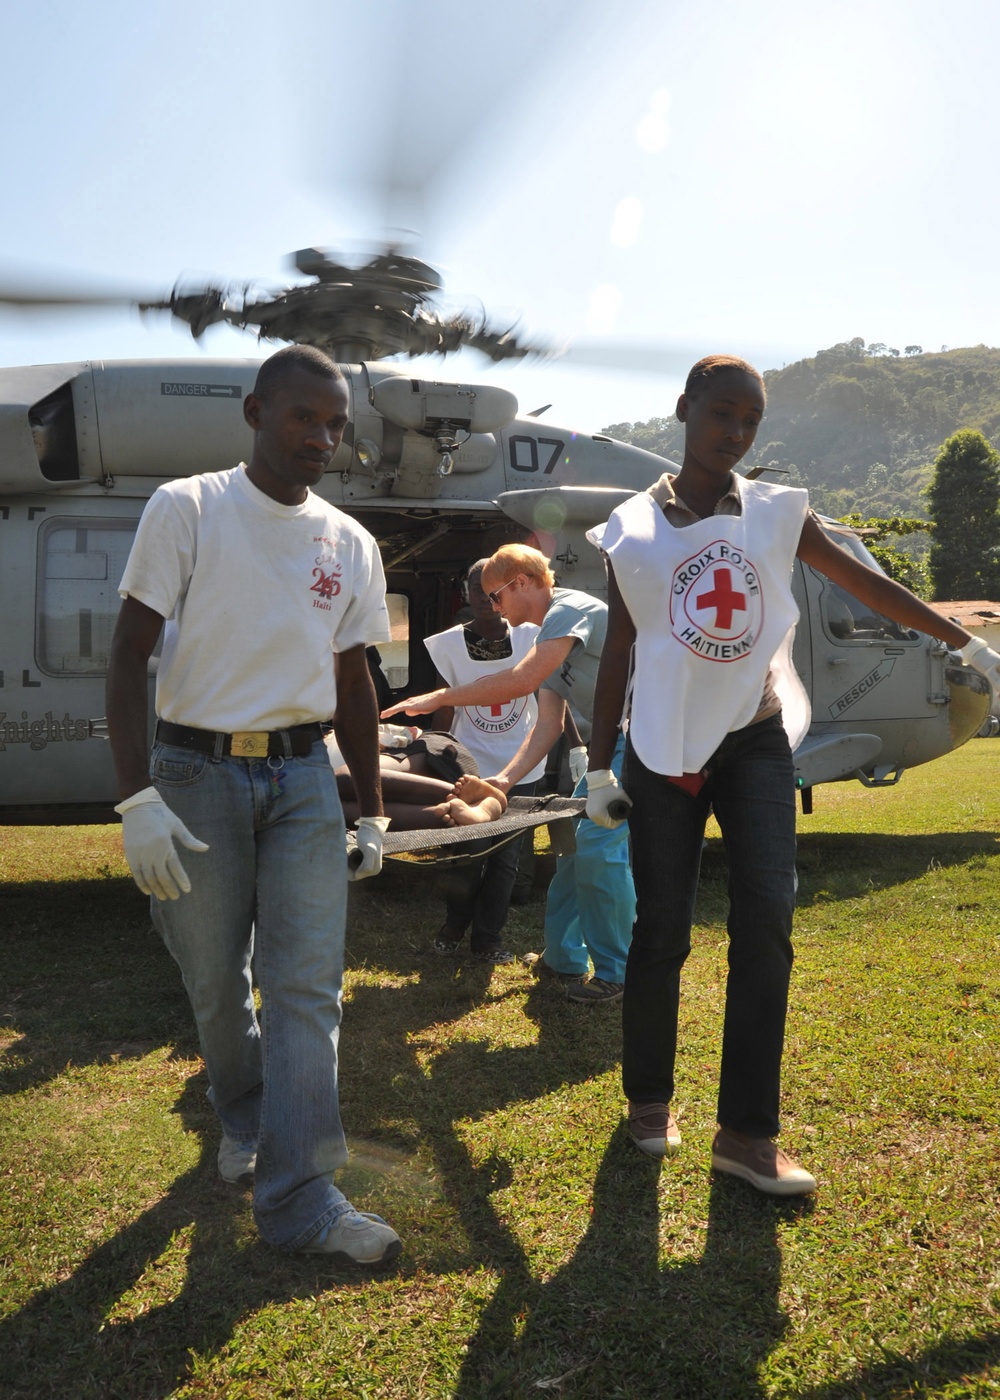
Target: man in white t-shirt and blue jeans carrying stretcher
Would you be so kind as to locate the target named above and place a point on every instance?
(267, 597)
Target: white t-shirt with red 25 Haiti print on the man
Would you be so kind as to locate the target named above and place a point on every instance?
(258, 597)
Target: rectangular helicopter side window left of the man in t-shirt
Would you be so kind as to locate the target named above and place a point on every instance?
(81, 566)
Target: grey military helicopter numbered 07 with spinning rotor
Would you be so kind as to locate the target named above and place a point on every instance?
(439, 472)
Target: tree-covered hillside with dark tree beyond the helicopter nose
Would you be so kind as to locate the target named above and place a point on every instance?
(862, 428)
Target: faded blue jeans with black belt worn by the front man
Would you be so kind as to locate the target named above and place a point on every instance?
(272, 888)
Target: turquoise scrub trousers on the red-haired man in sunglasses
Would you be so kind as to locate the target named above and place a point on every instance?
(592, 901)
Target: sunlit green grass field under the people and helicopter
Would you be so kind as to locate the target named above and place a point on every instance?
(544, 1255)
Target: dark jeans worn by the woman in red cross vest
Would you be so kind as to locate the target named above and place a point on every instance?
(751, 790)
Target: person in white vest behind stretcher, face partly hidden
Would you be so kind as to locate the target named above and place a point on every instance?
(480, 897)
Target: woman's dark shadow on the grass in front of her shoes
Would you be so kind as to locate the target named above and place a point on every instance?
(616, 1321)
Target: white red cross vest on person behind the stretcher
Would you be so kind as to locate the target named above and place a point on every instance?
(492, 733)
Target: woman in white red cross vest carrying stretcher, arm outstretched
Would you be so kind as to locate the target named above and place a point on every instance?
(701, 587)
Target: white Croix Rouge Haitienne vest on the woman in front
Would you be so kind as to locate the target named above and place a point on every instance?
(714, 611)
